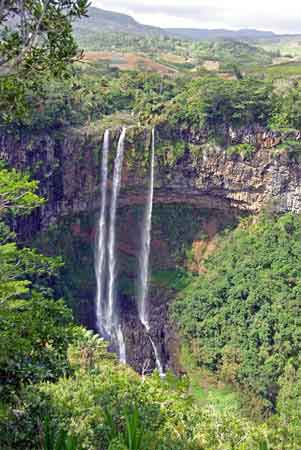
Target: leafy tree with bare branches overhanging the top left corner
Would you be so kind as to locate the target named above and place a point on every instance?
(36, 42)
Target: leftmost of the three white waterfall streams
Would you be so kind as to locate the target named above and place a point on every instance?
(101, 238)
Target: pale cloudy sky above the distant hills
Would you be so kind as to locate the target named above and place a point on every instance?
(273, 15)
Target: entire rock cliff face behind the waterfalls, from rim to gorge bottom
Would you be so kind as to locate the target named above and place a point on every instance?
(215, 183)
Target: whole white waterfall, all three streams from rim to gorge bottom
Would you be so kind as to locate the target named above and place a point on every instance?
(108, 320)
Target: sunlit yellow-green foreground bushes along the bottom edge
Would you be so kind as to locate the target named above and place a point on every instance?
(106, 405)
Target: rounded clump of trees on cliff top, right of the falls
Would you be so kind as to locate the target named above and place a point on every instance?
(211, 102)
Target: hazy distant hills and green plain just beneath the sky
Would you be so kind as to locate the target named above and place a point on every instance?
(109, 31)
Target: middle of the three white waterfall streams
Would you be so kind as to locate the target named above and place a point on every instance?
(112, 314)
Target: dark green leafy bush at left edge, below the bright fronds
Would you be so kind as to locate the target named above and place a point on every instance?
(34, 337)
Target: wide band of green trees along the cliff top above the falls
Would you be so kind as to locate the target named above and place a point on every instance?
(207, 102)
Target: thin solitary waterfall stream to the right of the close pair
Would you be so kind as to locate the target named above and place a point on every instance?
(145, 246)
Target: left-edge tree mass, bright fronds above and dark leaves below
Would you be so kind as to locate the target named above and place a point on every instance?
(35, 330)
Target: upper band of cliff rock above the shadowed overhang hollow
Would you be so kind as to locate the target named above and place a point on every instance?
(202, 173)
